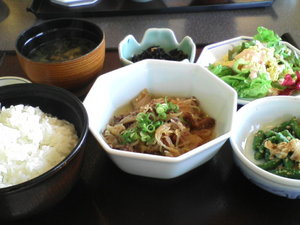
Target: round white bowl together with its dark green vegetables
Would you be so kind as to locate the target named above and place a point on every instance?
(266, 144)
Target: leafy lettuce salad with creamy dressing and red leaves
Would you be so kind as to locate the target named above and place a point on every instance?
(260, 67)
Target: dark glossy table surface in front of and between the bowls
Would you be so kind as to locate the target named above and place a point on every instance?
(212, 194)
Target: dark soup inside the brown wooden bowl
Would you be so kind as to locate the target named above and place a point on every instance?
(59, 50)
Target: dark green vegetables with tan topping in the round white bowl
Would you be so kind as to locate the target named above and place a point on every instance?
(278, 149)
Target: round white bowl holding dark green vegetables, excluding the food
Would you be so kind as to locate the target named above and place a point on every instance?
(249, 119)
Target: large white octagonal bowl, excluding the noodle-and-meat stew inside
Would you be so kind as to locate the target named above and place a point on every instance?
(165, 78)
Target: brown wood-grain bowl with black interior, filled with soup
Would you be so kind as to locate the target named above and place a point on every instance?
(63, 52)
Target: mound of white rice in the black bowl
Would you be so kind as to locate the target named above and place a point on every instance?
(31, 143)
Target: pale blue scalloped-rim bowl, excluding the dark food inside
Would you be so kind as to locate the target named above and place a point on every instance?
(162, 37)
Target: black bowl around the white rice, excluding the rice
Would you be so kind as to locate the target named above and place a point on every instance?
(44, 191)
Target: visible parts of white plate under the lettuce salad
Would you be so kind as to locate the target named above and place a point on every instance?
(215, 52)
